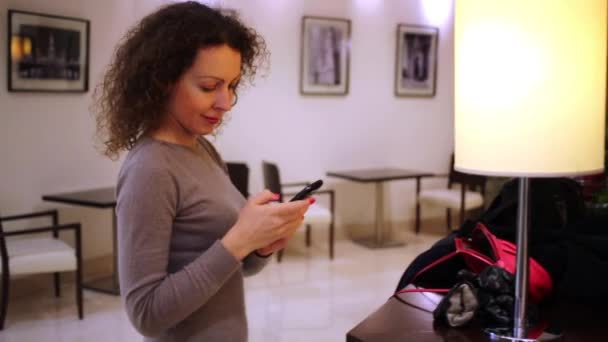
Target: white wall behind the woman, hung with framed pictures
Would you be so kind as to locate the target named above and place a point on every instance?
(46, 140)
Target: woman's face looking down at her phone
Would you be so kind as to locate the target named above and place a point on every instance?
(204, 93)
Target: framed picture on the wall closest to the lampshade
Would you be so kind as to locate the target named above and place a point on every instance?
(416, 60)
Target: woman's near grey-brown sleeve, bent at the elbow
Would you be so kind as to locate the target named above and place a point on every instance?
(156, 300)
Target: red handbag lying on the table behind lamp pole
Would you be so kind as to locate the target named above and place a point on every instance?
(484, 249)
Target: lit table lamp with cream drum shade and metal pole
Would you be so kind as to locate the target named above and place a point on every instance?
(530, 90)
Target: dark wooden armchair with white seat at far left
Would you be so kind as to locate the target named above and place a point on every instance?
(39, 254)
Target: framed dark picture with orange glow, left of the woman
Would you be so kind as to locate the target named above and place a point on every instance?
(47, 53)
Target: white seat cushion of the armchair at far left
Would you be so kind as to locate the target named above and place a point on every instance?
(39, 255)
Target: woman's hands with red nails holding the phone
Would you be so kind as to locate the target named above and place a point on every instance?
(262, 225)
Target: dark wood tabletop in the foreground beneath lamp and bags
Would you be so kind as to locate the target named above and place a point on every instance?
(409, 318)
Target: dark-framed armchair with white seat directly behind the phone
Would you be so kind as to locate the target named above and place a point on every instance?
(316, 213)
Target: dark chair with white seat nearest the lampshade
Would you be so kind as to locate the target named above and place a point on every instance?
(468, 196)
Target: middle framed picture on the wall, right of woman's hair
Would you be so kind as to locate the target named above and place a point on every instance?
(324, 62)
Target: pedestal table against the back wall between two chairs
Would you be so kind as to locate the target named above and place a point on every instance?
(379, 176)
